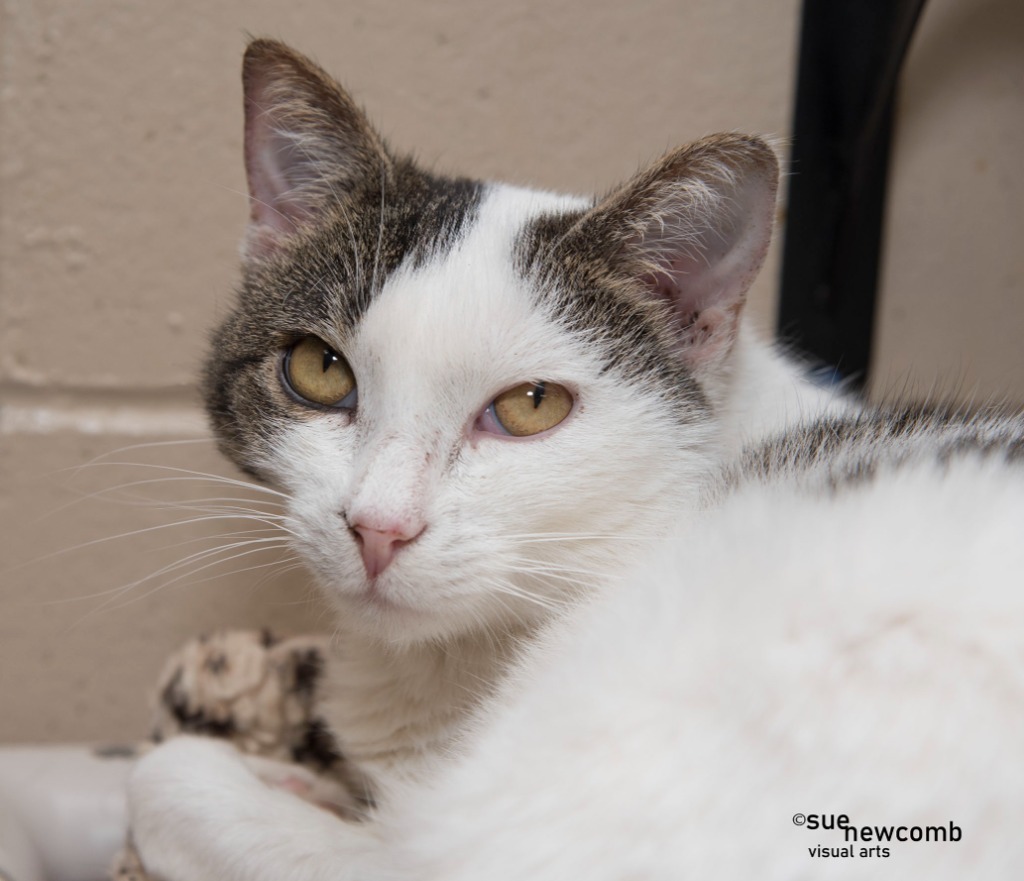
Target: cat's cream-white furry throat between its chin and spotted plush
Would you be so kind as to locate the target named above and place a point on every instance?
(395, 708)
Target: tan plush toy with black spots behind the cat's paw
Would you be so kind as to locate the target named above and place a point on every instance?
(259, 693)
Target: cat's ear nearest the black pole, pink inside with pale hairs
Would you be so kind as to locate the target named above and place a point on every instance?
(694, 231)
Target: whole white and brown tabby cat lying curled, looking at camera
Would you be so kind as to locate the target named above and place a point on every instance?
(620, 594)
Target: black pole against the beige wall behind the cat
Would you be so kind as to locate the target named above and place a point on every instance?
(851, 53)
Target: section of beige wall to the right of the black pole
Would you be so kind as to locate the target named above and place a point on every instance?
(952, 316)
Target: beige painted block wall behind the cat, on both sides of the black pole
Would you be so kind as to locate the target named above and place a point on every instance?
(122, 200)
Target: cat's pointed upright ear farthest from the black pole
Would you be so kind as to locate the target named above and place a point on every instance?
(307, 143)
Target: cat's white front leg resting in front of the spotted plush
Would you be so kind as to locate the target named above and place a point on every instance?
(199, 813)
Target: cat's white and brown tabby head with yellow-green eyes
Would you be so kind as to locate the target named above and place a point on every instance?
(478, 399)
